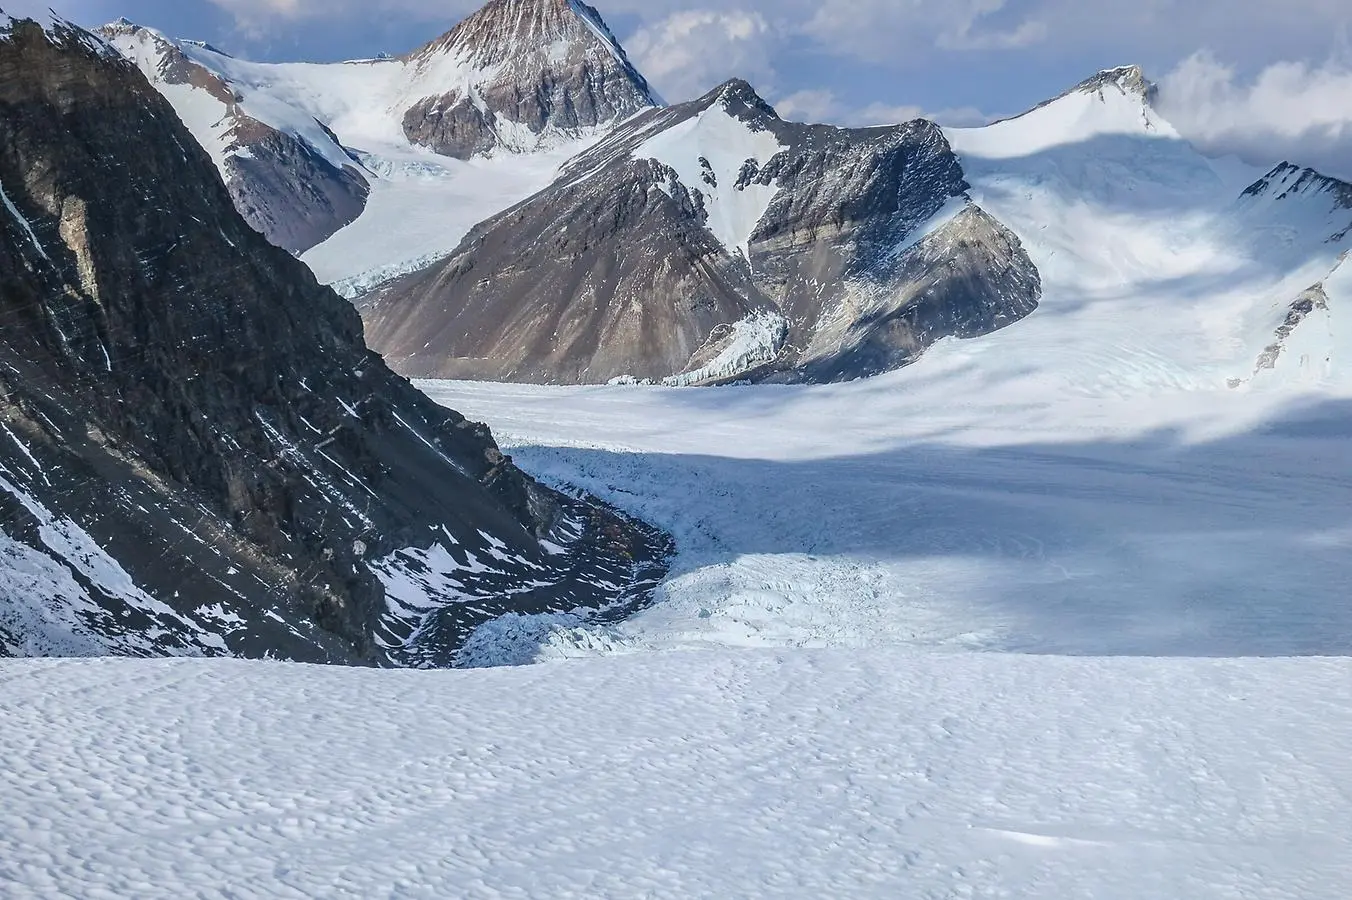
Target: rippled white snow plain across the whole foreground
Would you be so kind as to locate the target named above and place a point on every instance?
(731, 774)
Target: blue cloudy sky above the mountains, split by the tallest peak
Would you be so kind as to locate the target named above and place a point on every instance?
(1267, 80)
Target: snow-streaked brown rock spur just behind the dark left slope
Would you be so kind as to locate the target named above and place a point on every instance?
(286, 189)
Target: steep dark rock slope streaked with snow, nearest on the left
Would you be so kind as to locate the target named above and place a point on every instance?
(198, 453)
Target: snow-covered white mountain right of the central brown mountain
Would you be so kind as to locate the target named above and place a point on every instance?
(1182, 270)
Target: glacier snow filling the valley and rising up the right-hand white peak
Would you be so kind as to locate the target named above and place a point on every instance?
(1108, 476)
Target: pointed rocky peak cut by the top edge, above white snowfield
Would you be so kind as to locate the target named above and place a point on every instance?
(517, 75)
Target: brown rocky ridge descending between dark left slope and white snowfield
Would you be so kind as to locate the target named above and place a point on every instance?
(285, 189)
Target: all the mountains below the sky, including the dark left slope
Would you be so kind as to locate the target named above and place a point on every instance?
(202, 456)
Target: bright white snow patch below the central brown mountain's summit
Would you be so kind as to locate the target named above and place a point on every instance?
(727, 144)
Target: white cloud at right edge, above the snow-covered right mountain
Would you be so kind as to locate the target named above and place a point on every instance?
(1289, 111)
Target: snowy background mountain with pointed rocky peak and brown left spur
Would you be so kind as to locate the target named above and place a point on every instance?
(301, 147)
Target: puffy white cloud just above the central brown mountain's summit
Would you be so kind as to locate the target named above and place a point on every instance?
(689, 53)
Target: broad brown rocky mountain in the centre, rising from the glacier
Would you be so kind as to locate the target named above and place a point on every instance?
(715, 241)
